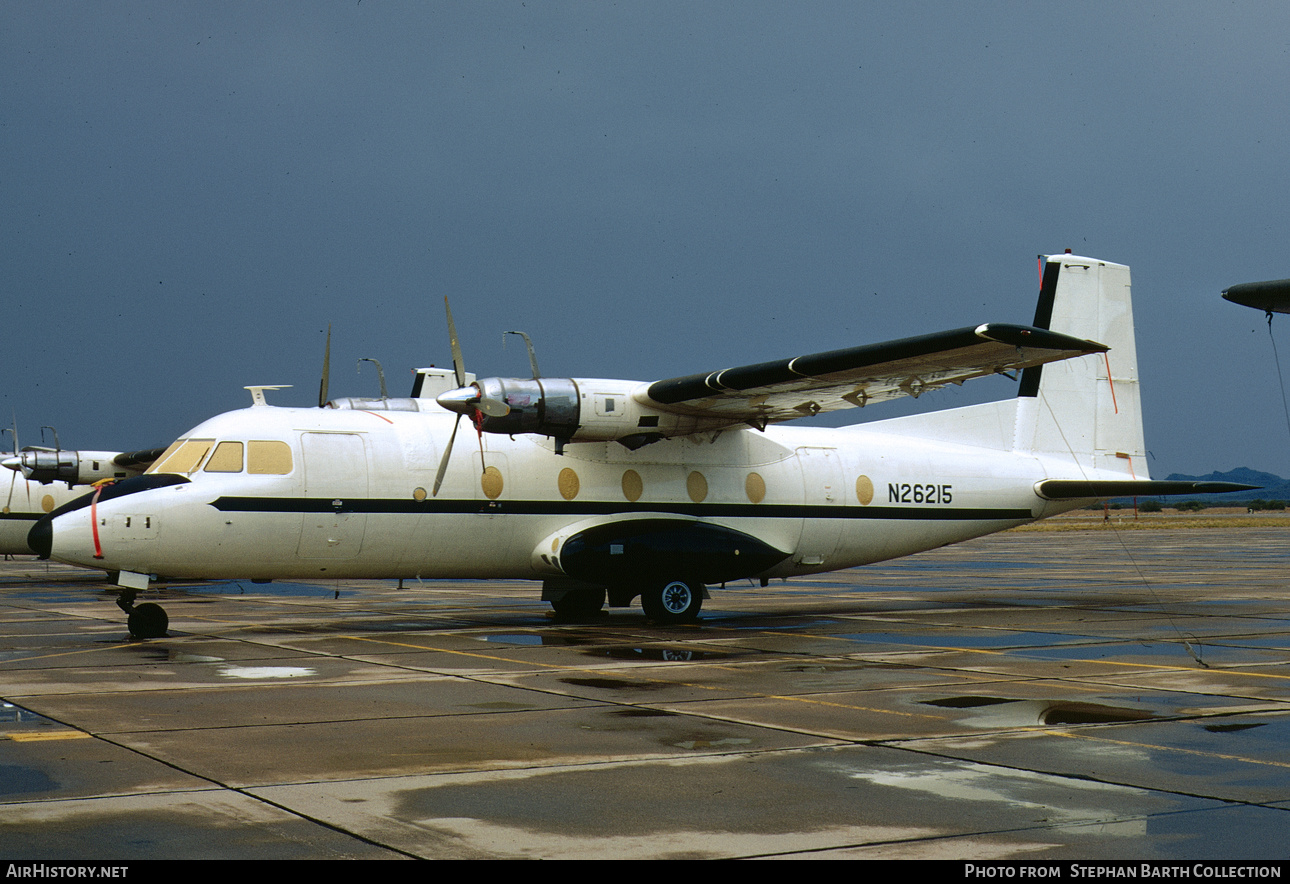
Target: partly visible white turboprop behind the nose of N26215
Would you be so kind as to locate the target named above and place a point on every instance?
(47, 478)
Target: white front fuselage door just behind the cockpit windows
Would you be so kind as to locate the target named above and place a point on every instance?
(336, 474)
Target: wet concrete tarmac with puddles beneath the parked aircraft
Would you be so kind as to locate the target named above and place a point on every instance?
(1029, 696)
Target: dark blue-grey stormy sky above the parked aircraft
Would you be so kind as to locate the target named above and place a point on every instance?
(193, 192)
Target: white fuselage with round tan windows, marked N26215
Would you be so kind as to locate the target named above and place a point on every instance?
(355, 499)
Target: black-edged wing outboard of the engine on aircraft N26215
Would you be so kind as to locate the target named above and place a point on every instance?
(789, 389)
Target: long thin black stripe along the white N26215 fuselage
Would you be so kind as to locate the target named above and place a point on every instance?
(604, 508)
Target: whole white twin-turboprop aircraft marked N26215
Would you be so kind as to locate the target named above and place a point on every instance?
(644, 490)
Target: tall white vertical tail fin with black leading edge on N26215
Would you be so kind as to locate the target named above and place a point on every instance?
(1088, 408)
